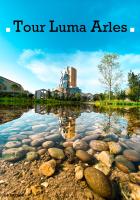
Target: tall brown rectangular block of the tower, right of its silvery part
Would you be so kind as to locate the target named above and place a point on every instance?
(72, 76)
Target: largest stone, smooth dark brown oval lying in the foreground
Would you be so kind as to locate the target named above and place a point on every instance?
(98, 182)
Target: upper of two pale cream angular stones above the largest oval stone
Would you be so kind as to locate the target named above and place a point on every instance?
(106, 158)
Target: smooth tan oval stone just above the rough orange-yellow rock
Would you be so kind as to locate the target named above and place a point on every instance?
(56, 153)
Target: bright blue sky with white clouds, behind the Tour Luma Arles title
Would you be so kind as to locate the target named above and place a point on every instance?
(35, 60)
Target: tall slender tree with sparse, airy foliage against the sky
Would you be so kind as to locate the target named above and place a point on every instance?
(110, 72)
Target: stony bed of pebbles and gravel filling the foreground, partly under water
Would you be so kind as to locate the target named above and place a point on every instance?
(70, 154)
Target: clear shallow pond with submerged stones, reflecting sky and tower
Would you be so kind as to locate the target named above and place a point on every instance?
(108, 139)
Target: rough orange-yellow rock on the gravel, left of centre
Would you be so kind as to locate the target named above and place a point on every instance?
(48, 168)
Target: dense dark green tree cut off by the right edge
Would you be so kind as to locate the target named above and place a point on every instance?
(134, 85)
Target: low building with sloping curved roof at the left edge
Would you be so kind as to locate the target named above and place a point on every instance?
(8, 86)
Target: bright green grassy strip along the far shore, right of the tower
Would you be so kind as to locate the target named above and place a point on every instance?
(115, 103)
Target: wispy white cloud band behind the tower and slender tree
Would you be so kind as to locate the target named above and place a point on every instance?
(47, 67)
